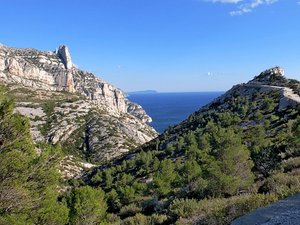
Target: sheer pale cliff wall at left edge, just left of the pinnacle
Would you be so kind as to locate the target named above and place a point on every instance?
(32, 68)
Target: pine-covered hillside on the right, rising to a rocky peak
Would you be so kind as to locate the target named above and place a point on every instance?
(233, 155)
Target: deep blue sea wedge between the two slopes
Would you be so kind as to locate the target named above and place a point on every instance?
(168, 109)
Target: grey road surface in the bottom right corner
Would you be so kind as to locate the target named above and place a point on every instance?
(283, 212)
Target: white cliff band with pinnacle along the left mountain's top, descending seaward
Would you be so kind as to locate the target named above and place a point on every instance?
(55, 72)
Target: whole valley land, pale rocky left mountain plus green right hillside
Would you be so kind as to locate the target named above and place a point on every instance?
(90, 153)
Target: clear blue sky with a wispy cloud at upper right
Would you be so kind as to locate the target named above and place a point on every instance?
(163, 45)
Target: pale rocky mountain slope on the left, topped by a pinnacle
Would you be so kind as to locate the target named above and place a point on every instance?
(89, 117)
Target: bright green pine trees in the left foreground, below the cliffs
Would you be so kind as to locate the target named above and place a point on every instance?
(28, 181)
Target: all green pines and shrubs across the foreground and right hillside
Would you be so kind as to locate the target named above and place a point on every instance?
(229, 158)
